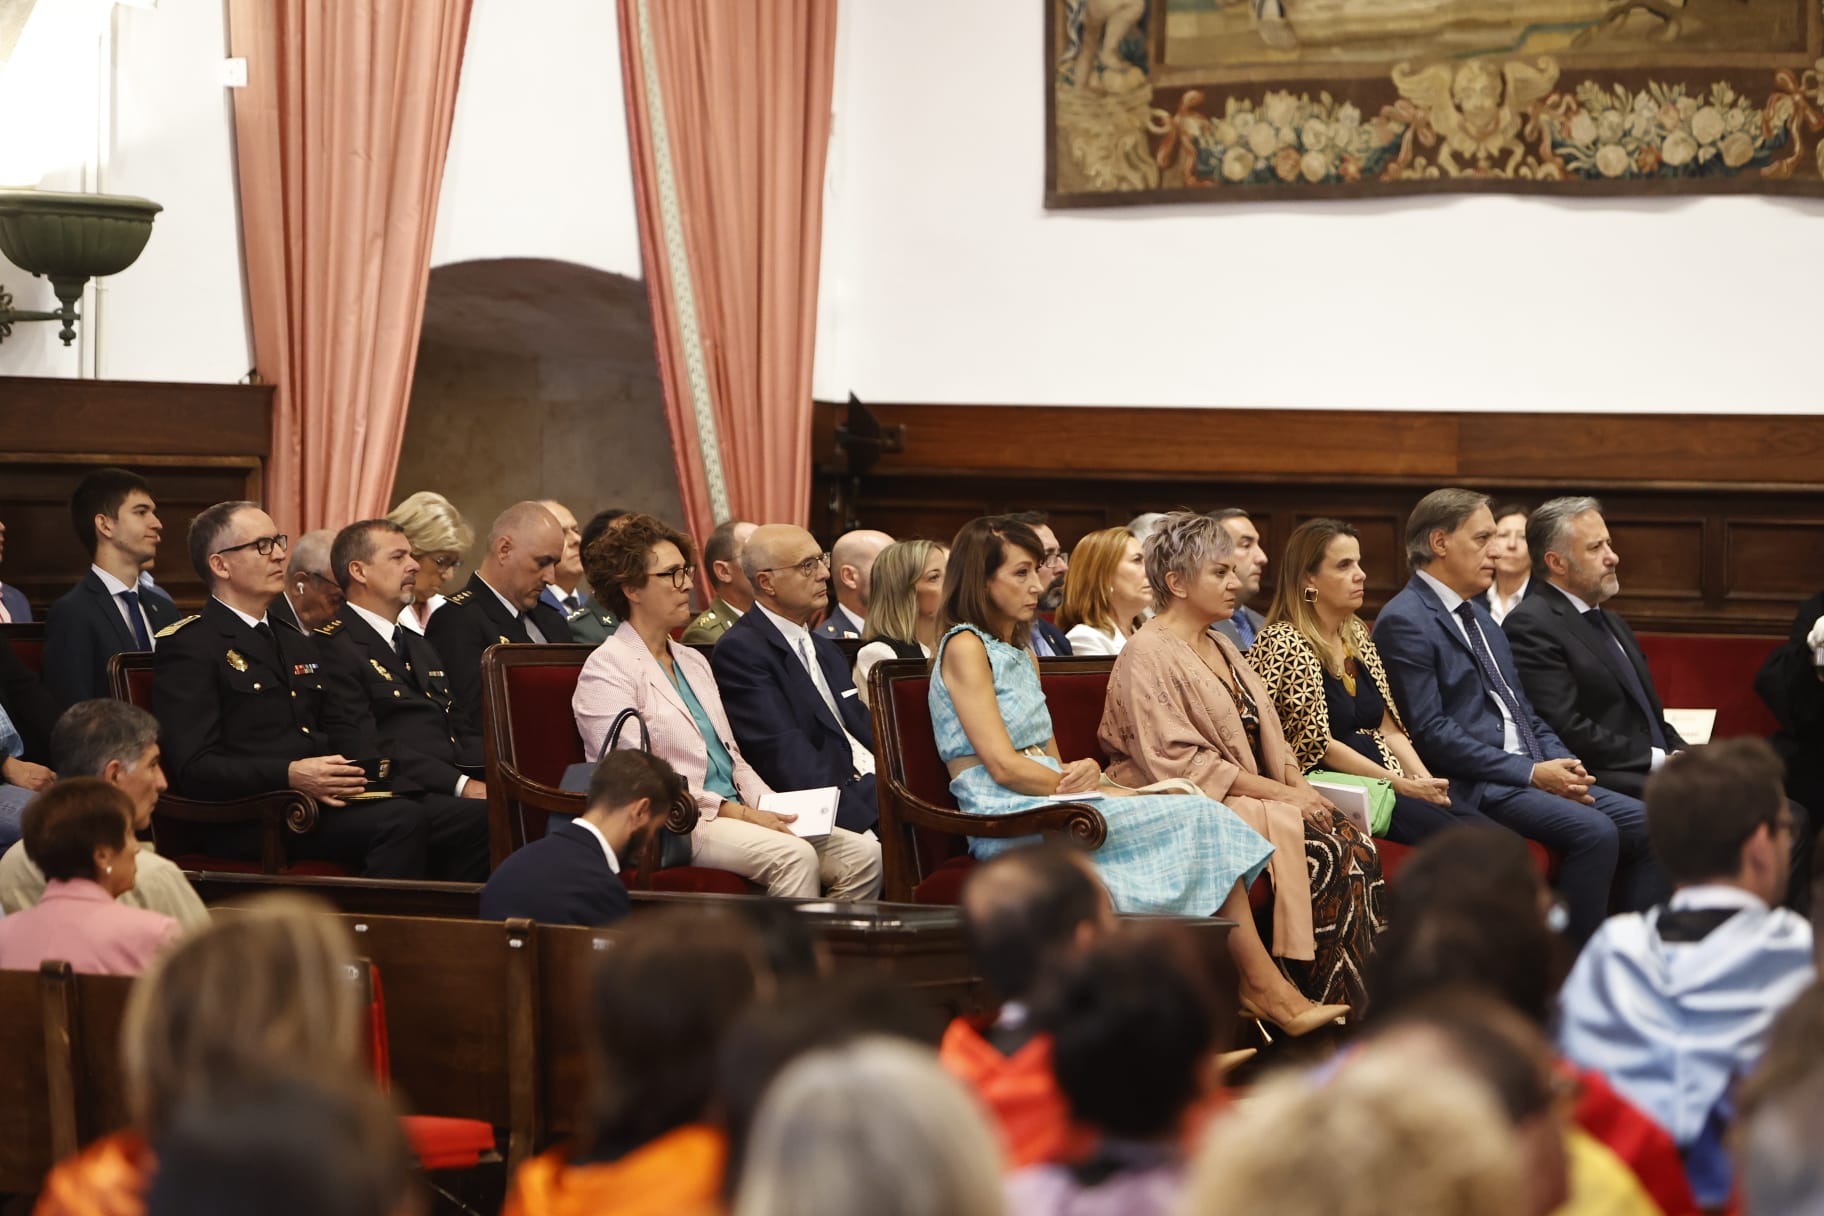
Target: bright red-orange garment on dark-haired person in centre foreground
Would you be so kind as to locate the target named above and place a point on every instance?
(1019, 1091)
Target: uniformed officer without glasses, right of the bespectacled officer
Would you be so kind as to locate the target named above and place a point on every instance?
(399, 675)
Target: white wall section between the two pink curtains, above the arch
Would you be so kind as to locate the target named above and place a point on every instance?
(539, 154)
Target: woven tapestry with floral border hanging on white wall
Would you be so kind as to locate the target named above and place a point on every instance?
(1196, 101)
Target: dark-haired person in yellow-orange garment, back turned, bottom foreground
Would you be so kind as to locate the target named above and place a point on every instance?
(659, 1007)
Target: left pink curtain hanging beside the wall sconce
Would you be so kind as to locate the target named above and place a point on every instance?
(340, 138)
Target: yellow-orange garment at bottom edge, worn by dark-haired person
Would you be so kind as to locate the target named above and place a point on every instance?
(678, 1175)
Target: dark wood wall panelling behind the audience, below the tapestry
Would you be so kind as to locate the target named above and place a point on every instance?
(1719, 519)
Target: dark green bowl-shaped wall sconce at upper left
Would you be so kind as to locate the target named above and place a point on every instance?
(68, 240)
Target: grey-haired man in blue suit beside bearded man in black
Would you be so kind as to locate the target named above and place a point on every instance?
(1471, 721)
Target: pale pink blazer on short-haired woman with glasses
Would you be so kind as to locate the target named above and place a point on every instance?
(625, 674)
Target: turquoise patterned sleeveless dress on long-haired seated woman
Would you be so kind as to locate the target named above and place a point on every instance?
(1179, 854)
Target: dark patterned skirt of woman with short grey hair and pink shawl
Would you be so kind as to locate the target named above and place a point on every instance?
(1347, 914)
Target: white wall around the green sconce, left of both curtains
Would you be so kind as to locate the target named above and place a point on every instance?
(180, 313)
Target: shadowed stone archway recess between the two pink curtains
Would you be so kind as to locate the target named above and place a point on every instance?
(537, 380)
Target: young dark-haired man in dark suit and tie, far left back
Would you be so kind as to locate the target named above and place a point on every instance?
(107, 613)
